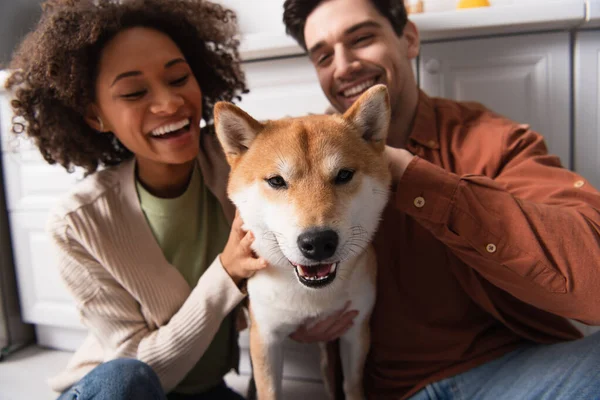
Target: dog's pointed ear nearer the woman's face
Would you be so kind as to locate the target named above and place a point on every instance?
(235, 129)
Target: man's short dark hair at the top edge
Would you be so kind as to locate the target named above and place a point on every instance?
(295, 13)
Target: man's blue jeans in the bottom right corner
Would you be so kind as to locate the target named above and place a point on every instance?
(563, 371)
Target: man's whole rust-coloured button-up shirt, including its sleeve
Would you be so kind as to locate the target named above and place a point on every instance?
(487, 243)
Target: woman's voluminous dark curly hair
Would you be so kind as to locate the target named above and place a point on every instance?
(55, 68)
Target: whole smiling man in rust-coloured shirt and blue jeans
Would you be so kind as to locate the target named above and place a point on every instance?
(488, 245)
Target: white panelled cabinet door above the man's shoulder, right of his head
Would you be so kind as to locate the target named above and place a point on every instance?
(526, 78)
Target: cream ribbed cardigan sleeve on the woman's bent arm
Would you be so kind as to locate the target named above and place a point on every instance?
(116, 319)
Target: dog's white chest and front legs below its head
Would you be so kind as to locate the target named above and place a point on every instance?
(279, 304)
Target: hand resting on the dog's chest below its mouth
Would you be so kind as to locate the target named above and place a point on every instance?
(327, 329)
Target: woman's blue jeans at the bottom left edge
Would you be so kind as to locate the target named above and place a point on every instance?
(129, 379)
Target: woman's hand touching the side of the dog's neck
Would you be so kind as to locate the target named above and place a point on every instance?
(237, 258)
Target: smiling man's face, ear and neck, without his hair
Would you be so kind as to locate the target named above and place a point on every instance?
(349, 44)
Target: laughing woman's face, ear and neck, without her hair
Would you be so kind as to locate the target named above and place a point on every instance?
(148, 97)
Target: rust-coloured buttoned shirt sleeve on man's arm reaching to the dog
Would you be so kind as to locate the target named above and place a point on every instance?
(533, 229)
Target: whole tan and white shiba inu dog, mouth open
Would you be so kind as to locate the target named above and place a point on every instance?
(312, 190)
